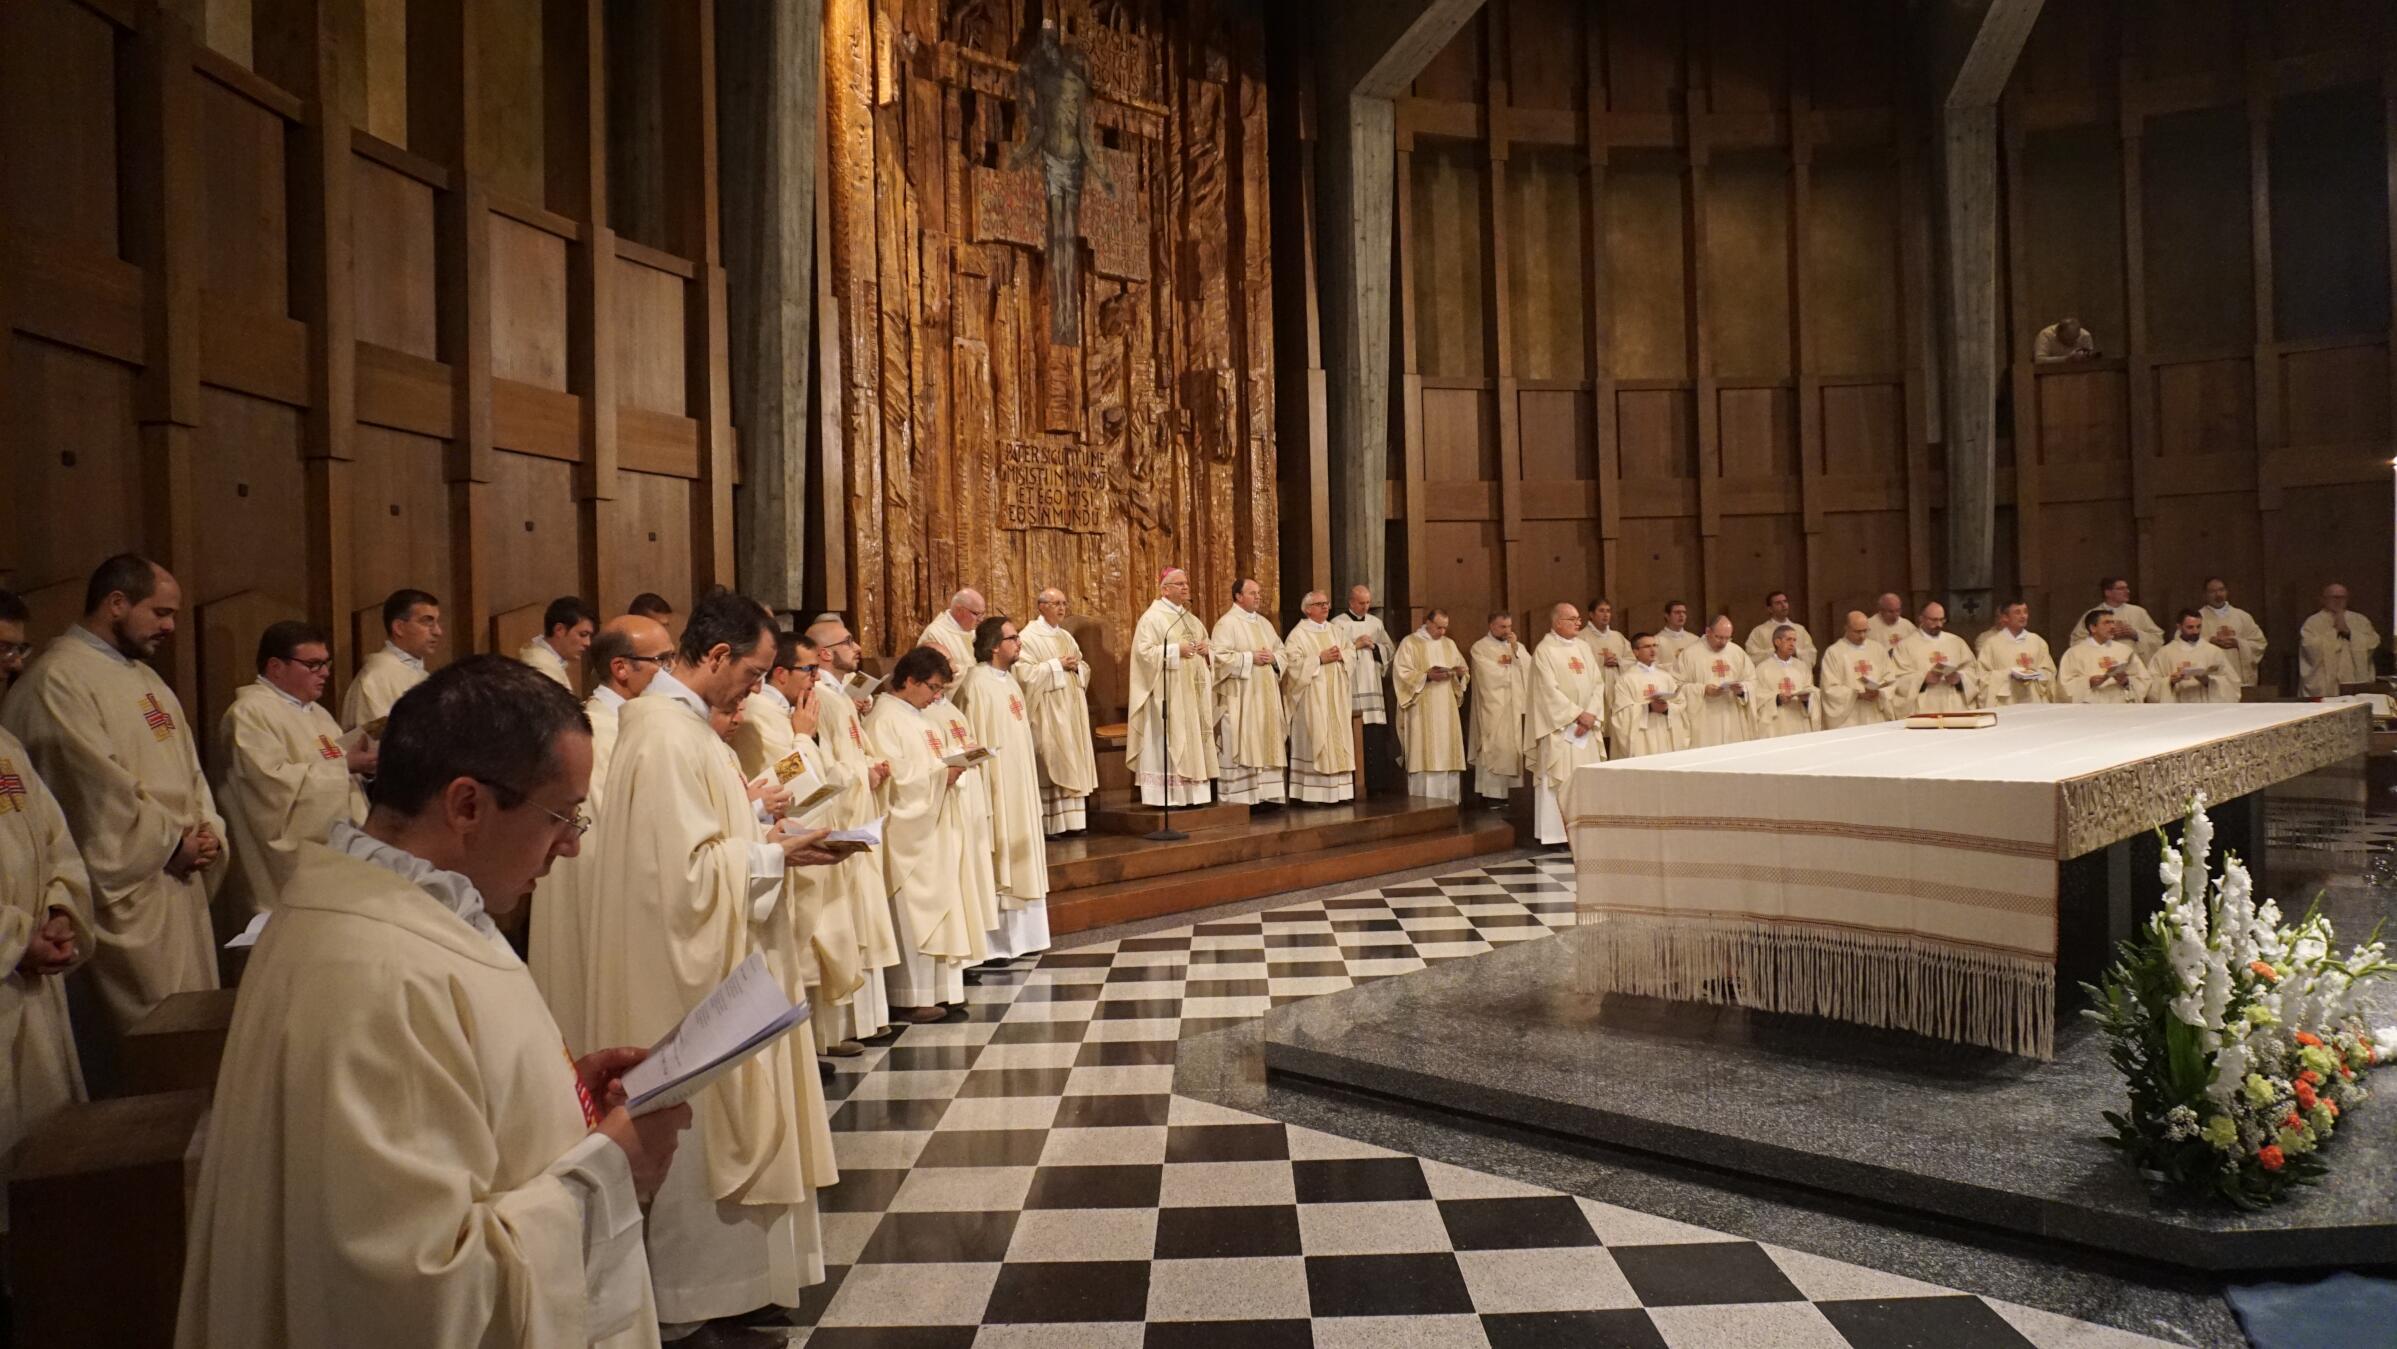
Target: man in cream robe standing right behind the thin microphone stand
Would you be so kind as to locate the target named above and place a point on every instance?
(1171, 746)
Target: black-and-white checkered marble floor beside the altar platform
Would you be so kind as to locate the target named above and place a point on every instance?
(1032, 1180)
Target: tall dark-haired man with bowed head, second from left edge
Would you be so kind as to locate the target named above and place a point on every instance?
(114, 744)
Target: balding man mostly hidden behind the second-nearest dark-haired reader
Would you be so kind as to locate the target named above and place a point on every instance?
(624, 655)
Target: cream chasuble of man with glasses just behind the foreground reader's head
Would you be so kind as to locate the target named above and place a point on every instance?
(282, 780)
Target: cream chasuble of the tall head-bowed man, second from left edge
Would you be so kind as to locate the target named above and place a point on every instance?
(114, 744)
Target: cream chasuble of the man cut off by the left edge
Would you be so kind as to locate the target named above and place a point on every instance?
(40, 871)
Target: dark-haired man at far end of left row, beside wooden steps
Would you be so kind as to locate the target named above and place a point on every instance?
(1013, 787)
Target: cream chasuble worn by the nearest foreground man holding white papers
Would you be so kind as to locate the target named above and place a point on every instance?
(399, 1154)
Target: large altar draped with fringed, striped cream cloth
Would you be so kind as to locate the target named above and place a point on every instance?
(1914, 881)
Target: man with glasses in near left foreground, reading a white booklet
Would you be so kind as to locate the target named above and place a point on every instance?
(404, 1151)
